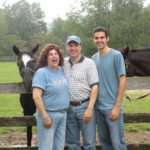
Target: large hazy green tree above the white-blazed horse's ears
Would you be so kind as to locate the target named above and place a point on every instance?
(17, 25)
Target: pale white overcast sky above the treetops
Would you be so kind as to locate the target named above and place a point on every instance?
(53, 8)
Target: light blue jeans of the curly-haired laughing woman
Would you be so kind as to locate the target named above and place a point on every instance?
(52, 138)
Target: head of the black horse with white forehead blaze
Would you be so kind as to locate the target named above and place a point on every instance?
(27, 64)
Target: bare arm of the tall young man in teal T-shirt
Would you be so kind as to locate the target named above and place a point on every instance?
(115, 111)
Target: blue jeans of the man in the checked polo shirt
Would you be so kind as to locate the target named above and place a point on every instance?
(75, 124)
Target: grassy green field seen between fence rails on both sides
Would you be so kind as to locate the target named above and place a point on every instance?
(10, 105)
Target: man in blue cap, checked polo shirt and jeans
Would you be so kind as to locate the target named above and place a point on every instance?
(82, 76)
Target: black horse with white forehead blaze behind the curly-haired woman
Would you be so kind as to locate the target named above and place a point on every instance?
(26, 62)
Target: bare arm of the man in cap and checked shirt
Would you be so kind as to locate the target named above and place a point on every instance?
(89, 111)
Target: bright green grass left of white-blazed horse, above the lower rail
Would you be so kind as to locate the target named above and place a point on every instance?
(9, 103)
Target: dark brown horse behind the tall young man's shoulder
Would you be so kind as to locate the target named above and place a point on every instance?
(137, 61)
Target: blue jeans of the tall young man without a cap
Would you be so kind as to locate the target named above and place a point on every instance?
(110, 132)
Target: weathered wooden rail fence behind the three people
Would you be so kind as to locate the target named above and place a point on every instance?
(136, 83)
